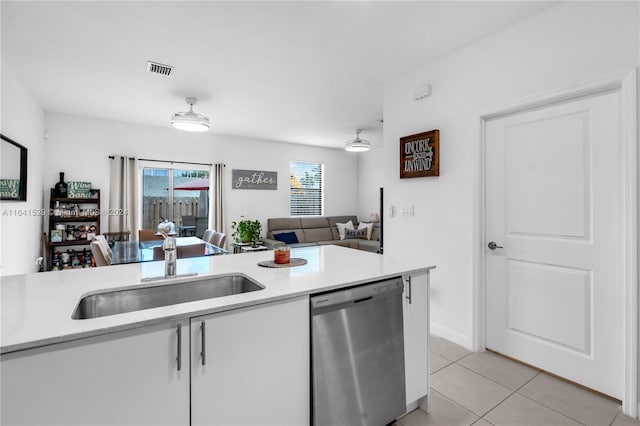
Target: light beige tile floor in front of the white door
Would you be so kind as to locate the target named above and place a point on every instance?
(484, 389)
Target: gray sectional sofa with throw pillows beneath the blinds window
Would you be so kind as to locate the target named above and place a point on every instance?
(319, 230)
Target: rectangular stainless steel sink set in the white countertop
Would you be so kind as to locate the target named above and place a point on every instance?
(136, 299)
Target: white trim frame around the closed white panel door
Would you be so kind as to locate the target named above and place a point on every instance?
(627, 85)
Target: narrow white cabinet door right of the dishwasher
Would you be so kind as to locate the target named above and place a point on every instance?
(416, 339)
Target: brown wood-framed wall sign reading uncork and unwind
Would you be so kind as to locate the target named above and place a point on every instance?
(420, 155)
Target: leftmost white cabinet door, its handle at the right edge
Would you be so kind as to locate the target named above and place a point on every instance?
(124, 378)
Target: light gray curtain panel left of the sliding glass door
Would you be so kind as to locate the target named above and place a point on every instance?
(124, 199)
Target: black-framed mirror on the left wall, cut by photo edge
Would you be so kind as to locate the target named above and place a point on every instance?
(13, 170)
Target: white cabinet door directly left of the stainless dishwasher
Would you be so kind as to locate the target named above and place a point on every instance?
(256, 366)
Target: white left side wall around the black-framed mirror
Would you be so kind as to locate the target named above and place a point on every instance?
(20, 222)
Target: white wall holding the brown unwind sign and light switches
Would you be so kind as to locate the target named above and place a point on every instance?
(562, 46)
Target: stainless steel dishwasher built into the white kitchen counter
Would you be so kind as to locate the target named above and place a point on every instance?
(357, 350)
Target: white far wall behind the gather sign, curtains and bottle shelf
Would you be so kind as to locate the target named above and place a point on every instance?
(80, 146)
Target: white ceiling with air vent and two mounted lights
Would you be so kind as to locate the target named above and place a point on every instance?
(301, 72)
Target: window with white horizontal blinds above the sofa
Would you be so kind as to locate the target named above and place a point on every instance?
(307, 188)
